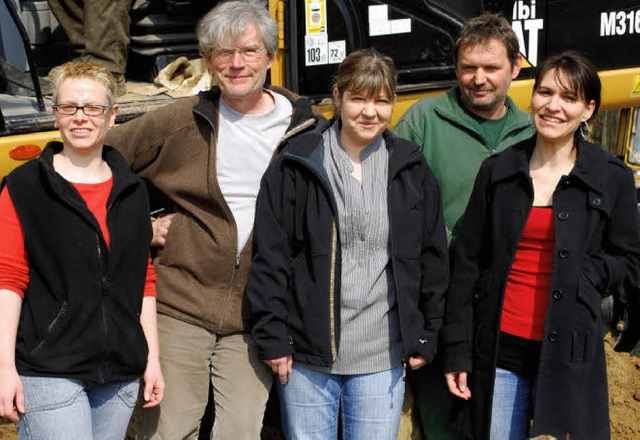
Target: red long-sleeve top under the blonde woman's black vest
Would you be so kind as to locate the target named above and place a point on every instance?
(14, 261)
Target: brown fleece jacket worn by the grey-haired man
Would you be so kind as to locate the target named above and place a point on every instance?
(200, 279)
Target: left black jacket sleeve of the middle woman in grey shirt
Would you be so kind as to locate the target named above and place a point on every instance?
(268, 281)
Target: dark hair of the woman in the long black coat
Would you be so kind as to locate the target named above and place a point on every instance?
(574, 72)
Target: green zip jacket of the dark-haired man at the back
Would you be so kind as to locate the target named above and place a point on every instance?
(453, 144)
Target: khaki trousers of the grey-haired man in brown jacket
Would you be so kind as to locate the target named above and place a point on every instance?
(190, 357)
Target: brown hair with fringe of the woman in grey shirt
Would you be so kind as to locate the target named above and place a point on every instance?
(366, 70)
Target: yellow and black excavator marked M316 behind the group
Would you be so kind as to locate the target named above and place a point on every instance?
(314, 36)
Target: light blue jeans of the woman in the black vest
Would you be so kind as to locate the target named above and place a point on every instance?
(60, 408)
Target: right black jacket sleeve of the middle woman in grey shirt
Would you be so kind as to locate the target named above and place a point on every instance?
(434, 265)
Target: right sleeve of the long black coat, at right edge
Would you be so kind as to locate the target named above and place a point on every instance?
(618, 259)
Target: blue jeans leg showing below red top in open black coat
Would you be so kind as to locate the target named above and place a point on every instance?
(512, 406)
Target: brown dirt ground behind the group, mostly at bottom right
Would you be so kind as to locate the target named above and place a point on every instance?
(624, 397)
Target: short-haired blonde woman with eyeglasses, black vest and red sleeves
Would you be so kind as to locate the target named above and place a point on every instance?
(77, 289)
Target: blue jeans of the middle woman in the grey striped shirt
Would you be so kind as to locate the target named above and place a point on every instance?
(370, 404)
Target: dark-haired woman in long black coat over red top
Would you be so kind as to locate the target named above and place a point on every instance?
(551, 227)
